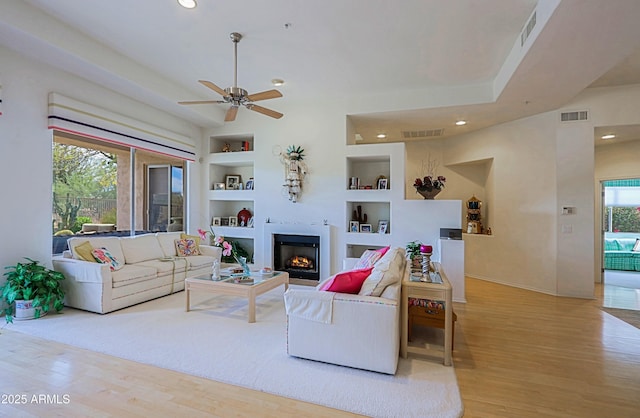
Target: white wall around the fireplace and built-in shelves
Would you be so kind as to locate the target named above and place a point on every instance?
(322, 130)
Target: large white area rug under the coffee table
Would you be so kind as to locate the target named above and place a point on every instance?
(215, 341)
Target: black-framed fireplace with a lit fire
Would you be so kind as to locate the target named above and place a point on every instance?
(298, 255)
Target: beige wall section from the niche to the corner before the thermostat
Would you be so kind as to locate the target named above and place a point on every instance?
(521, 194)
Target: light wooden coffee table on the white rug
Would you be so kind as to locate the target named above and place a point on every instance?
(245, 286)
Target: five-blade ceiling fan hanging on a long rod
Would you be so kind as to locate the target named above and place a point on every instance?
(237, 96)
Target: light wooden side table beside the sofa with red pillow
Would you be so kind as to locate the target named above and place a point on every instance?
(434, 291)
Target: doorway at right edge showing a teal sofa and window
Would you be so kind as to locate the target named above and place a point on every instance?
(621, 243)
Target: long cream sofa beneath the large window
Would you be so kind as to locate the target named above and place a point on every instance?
(144, 275)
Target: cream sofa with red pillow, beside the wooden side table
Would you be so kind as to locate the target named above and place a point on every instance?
(350, 329)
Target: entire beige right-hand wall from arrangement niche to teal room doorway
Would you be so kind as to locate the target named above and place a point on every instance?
(539, 165)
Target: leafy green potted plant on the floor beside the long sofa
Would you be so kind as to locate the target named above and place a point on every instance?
(34, 287)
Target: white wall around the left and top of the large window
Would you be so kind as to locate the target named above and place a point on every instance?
(26, 144)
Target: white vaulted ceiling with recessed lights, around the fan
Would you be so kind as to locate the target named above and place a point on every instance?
(400, 66)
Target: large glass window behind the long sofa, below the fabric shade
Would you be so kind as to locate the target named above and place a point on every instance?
(93, 189)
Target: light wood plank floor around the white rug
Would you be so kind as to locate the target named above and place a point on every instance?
(517, 354)
